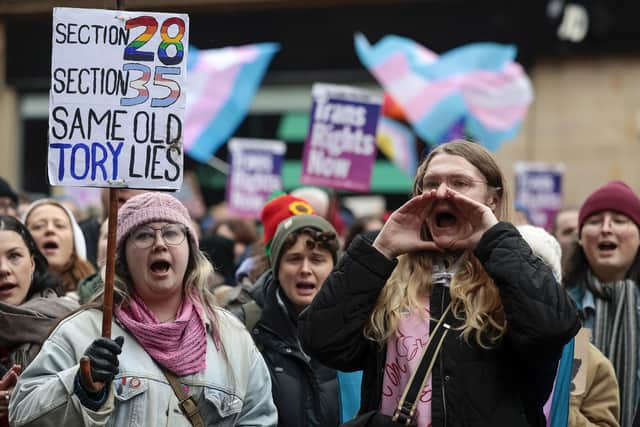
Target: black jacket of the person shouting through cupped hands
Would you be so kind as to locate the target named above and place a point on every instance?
(472, 387)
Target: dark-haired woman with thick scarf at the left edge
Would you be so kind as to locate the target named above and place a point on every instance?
(29, 304)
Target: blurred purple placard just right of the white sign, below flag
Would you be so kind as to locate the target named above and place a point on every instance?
(255, 172)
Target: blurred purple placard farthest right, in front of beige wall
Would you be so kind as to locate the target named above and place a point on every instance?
(539, 190)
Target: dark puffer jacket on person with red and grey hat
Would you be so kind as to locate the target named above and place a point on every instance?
(304, 391)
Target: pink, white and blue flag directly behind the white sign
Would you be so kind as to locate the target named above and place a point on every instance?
(220, 87)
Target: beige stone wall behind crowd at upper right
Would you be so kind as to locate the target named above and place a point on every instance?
(586, 114)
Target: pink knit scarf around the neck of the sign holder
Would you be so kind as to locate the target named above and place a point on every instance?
(179, 346)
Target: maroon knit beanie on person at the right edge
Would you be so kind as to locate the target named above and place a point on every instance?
(614, 196)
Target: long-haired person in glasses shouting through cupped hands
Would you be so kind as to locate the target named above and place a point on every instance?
(447, 248)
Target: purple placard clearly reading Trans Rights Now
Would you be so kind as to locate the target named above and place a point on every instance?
(340, 148)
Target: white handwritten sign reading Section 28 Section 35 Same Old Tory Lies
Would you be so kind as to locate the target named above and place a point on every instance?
(116, 100)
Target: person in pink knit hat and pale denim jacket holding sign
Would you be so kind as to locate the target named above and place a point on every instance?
(165, 326)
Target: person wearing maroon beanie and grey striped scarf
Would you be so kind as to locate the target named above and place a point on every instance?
(602, 277)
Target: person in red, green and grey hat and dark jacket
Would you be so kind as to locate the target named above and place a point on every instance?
(302, 250)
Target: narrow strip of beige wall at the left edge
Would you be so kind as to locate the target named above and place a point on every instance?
(8, 121)
